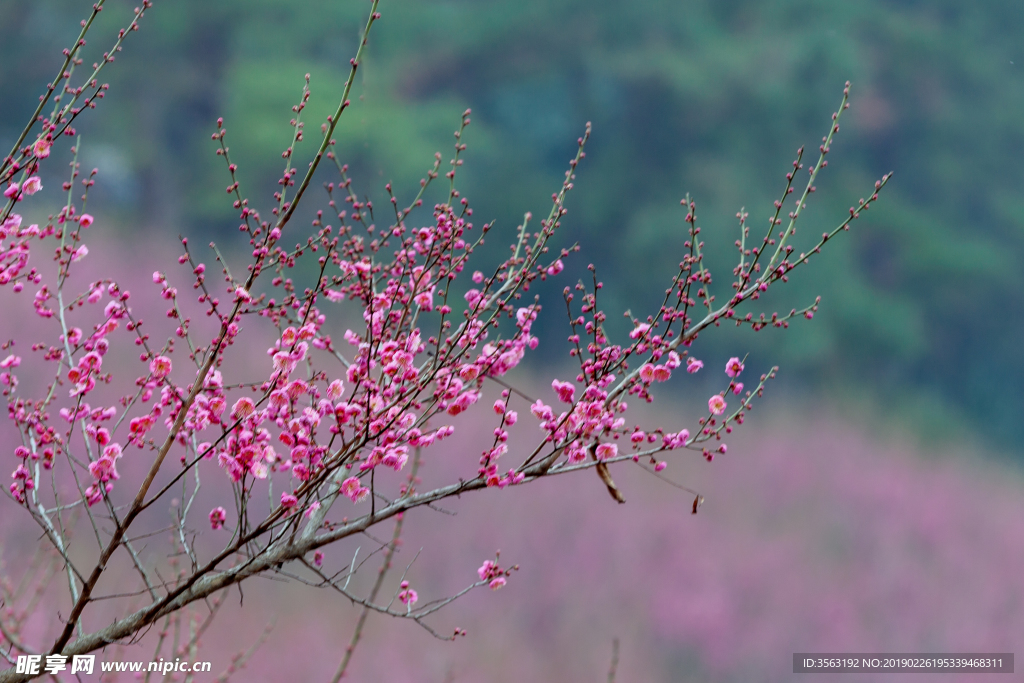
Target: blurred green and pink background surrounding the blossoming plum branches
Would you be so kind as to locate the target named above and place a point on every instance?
(876, 505)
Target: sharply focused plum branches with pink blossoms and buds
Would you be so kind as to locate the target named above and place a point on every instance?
(321, 433)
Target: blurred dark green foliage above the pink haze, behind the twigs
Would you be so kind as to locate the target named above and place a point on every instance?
(711, 98)
